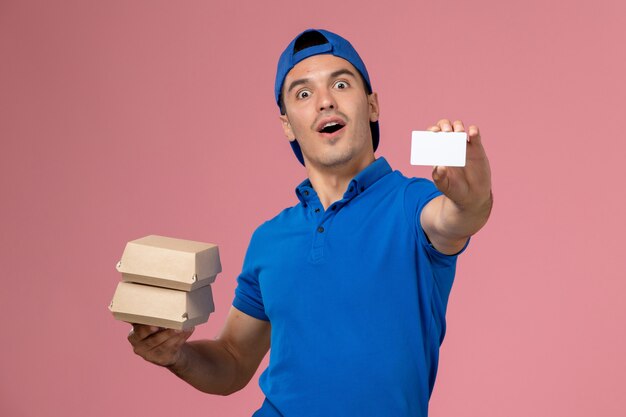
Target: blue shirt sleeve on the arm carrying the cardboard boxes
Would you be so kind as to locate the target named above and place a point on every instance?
(248, 297)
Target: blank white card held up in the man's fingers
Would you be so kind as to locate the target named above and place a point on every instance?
(438, 148)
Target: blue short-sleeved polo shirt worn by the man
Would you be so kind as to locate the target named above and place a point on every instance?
(356, 297)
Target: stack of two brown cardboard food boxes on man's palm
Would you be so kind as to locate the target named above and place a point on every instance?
(166, 282)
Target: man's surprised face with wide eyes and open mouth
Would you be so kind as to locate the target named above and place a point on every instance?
(329, 111)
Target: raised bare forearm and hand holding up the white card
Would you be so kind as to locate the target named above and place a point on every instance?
(449, 220)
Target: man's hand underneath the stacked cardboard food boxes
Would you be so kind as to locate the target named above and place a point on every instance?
(157, 345)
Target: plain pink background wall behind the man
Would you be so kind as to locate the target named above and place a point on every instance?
(124, 118)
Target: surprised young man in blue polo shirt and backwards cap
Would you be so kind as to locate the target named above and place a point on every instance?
(351, 284)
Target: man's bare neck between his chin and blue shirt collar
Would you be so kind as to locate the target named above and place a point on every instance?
(330, 184)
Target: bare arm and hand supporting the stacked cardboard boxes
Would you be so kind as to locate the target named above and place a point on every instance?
(221, 366)
